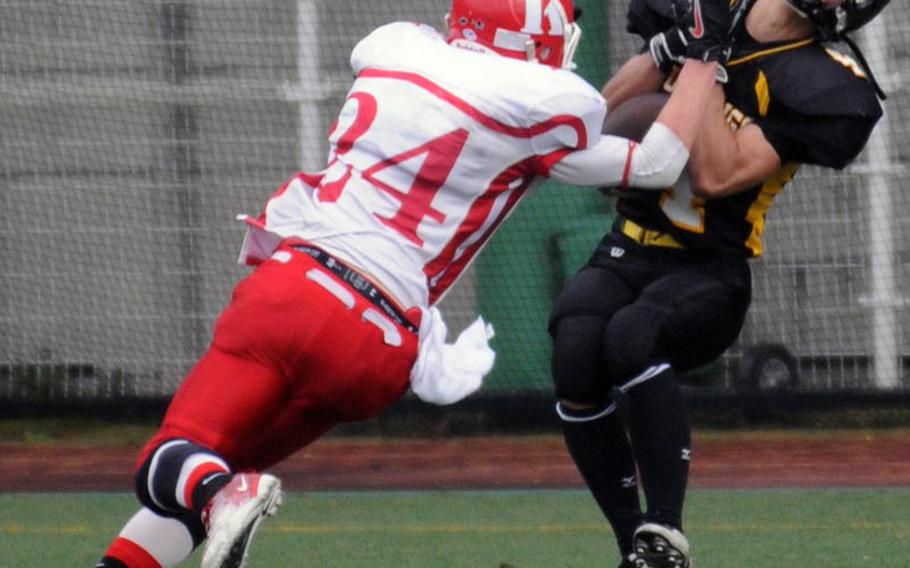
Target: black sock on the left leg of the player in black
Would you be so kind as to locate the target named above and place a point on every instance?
(603, 455)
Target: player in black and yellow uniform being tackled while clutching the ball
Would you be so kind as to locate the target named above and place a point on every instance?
(667, 290)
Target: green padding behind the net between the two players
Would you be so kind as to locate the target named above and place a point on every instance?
(548, 237)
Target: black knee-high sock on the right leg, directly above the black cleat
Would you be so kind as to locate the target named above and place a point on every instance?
(661, 435)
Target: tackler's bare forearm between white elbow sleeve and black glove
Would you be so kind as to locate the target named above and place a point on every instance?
(685, 110)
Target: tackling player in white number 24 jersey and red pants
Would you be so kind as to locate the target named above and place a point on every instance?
(438, 140)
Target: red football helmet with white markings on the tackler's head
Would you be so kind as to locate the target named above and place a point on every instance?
(543, 31)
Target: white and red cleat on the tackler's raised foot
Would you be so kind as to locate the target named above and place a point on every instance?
(233, 515)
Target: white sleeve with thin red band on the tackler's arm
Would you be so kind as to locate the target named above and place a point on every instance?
(619, 162)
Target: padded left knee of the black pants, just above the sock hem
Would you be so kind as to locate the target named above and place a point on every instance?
(577, 365)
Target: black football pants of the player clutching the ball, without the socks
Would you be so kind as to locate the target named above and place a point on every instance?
(632, 306)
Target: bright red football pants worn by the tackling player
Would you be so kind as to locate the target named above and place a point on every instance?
(288, 361)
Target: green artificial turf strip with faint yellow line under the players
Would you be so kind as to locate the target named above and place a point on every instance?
(829, 528)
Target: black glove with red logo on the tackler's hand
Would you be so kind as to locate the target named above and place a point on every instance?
(704, 26)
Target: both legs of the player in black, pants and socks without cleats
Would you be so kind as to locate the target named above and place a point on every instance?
(631, 318)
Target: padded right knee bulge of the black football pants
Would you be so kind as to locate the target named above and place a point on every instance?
(631, 341)
